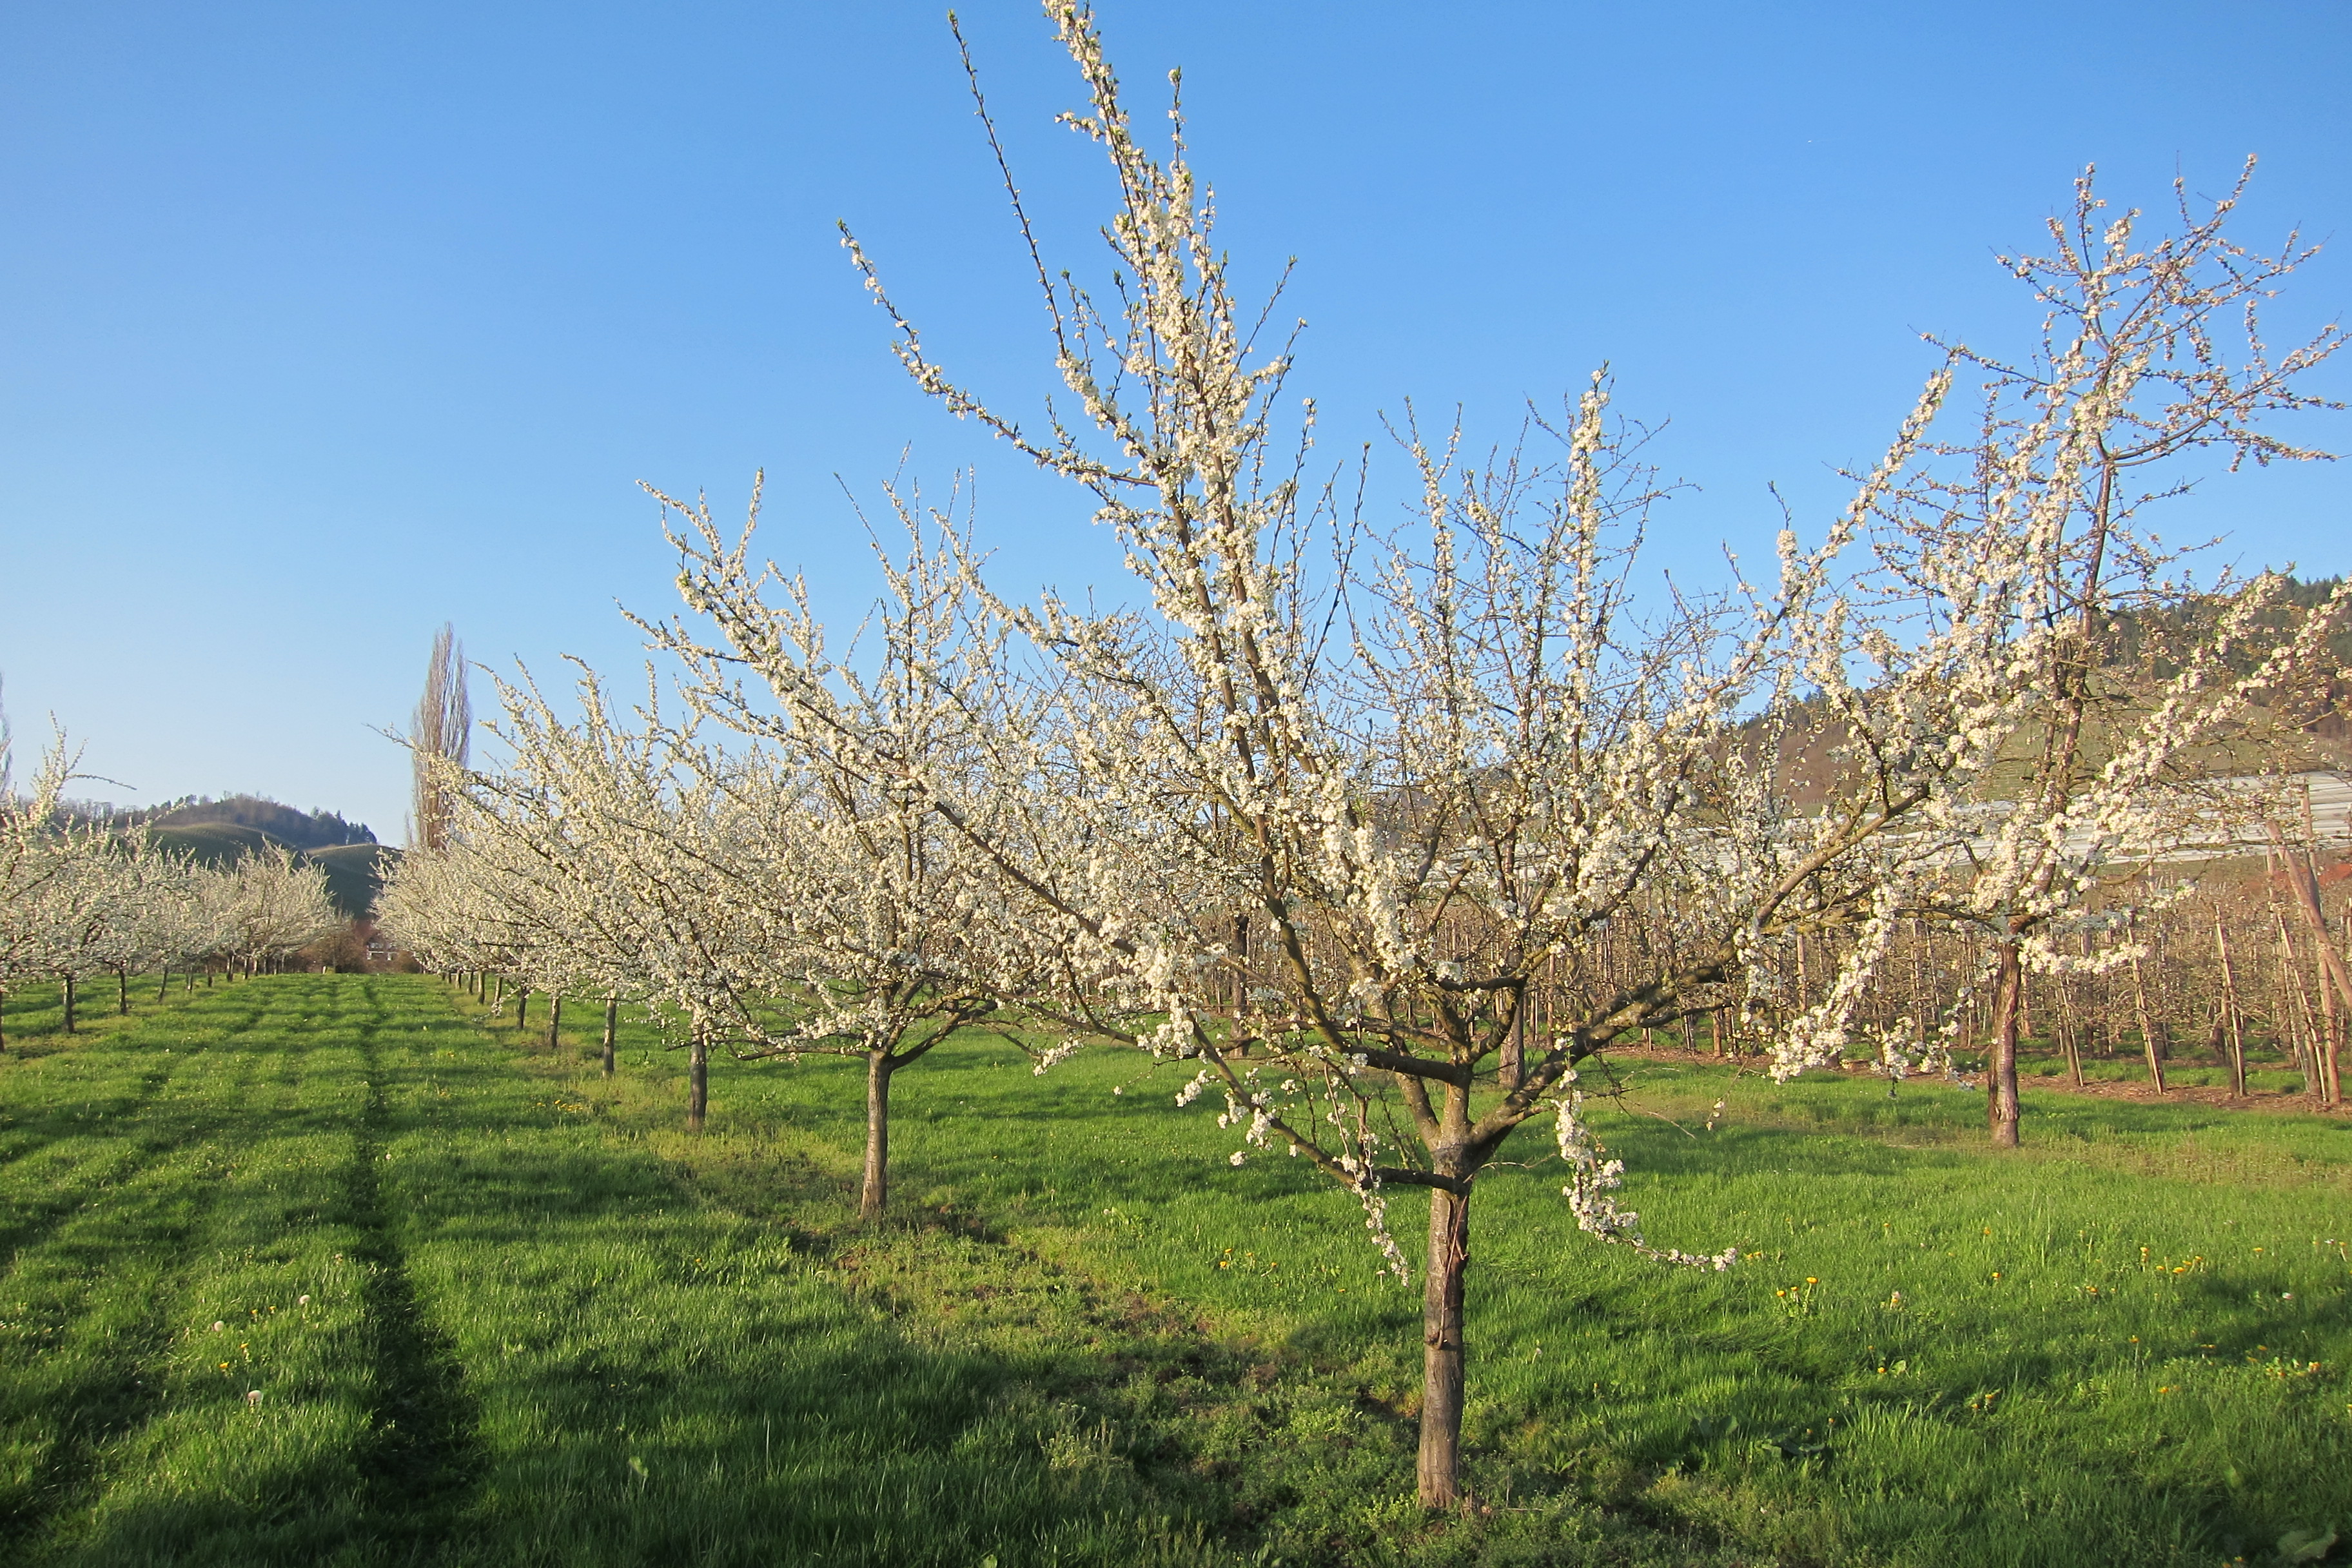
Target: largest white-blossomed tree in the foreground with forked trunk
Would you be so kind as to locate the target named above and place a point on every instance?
(1335, 829)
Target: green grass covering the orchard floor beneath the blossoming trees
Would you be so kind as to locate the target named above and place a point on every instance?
(328, 1271)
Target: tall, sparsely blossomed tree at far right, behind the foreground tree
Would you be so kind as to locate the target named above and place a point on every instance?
(2127, 678)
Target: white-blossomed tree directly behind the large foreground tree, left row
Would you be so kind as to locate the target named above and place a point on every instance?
(886, 838)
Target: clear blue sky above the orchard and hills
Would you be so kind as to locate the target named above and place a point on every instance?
(328, 323)
